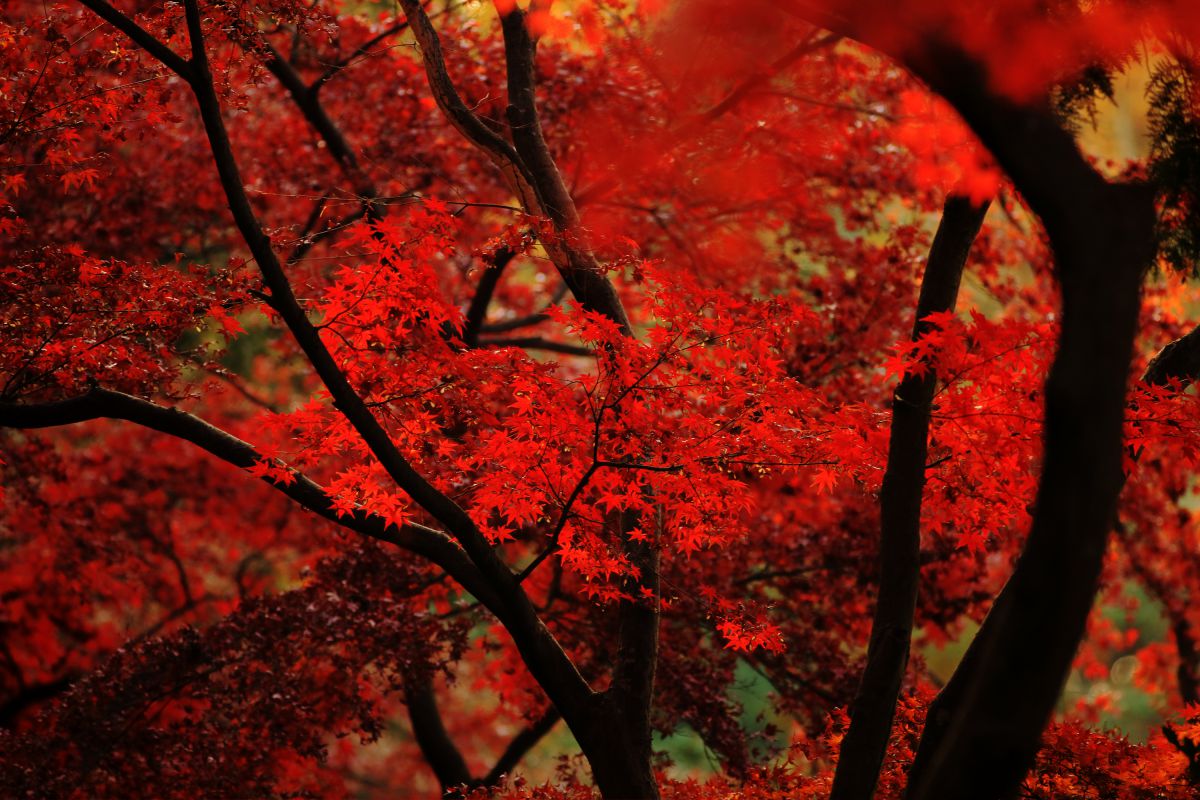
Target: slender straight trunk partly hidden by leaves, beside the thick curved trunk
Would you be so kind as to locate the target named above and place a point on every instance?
(901, 500)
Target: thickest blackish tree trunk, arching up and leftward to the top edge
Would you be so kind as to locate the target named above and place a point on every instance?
(985, 730)
